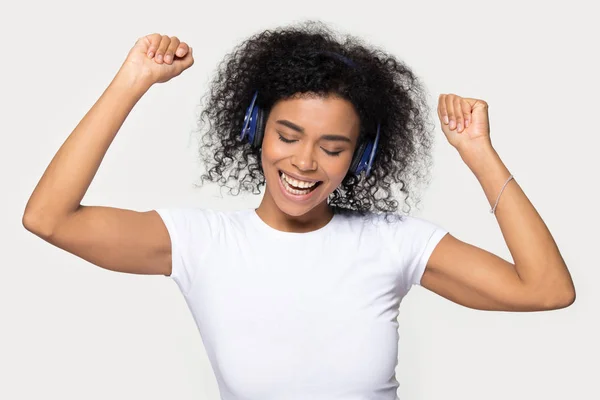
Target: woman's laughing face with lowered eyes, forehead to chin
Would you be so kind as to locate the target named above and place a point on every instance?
(307, 149)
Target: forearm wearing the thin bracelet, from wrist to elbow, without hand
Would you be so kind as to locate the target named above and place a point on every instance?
(536, 256)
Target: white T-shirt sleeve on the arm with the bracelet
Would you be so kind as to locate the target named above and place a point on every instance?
(416, 238)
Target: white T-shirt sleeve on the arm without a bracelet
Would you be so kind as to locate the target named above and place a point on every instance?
(192, 231)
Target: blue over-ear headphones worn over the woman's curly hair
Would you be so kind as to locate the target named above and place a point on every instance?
(254, 128)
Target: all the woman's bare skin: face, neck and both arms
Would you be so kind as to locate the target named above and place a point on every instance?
(138, 242)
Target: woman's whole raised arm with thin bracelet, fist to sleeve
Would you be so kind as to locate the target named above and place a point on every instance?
(468, 275)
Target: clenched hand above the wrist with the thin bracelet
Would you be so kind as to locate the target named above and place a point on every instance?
(465, 122)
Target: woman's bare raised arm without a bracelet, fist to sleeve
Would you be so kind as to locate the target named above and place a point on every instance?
(115, 239)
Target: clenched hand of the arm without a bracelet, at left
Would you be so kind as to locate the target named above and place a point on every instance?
(157, 58)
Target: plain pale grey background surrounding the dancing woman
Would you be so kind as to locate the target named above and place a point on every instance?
(72, 330)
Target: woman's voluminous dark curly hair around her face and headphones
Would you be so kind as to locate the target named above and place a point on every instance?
(292, 61)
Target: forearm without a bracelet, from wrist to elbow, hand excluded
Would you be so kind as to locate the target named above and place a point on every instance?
(69, 174)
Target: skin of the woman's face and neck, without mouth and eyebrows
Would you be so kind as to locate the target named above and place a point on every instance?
(307, 157)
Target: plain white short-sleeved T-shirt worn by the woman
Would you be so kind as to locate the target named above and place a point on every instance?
(287, 315)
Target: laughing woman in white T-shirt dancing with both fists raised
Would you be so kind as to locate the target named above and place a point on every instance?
(299, 298)
